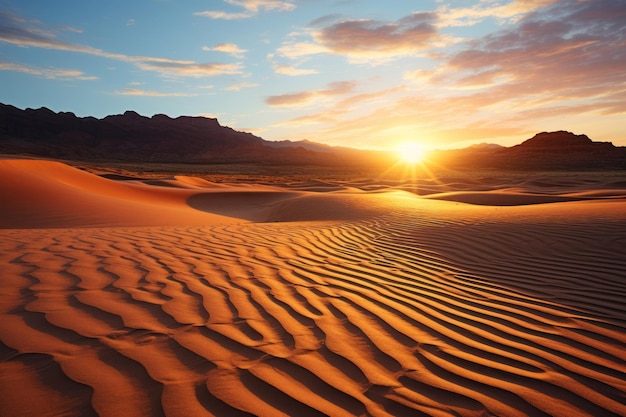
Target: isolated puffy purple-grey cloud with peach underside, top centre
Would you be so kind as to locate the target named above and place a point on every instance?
(370, 39)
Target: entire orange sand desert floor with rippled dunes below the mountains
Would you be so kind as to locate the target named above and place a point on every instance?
(182, 297)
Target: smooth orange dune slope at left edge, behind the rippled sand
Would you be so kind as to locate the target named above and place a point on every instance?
(51, 194)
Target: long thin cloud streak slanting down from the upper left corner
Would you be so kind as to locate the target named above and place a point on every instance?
(17, 31)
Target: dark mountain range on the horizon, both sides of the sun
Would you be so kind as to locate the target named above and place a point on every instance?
(130, 137)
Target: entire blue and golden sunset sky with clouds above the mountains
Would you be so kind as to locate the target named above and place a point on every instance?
(360, 73)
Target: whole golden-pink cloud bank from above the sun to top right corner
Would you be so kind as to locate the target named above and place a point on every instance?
(557, 64)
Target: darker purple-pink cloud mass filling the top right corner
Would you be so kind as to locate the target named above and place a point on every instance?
(569, 50)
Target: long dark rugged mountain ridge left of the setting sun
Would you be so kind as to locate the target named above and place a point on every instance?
(136, 138)
